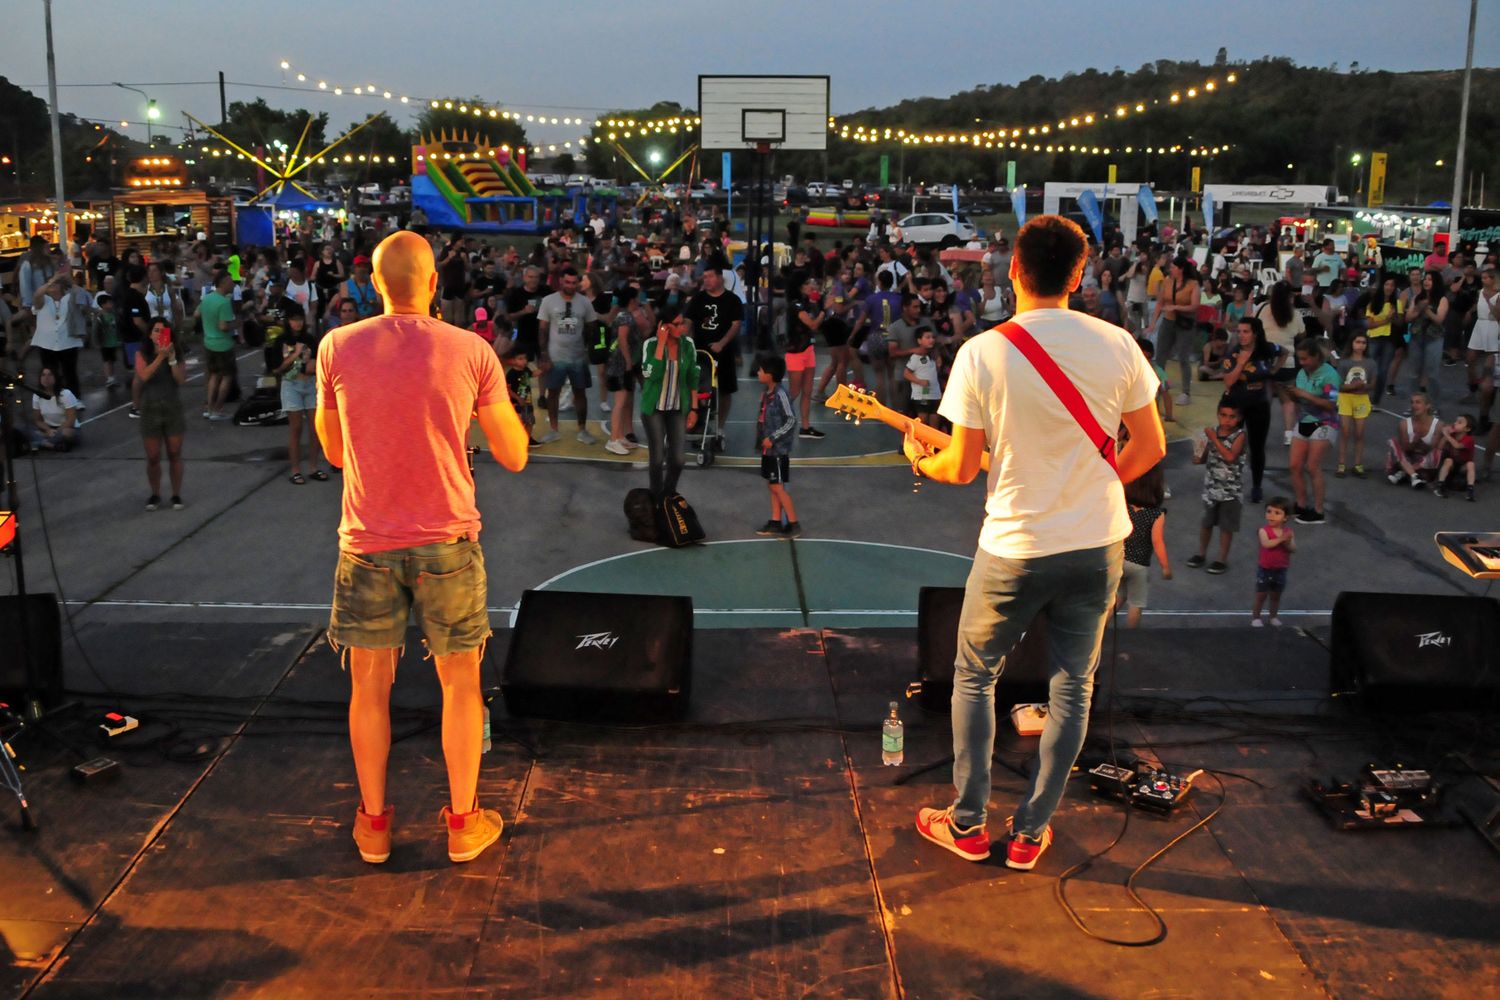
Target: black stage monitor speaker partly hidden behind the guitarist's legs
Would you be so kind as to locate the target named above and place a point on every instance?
(1027, 674)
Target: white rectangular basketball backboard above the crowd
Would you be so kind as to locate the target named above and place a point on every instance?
(743, 113)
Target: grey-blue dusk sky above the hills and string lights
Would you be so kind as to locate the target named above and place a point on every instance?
(581, 58)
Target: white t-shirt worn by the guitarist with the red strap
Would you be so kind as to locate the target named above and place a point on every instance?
(1049, 491)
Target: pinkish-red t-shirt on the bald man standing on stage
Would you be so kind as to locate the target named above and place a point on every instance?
(406, 389)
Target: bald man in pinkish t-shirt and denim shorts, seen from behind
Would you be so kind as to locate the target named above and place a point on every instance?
(397, 395)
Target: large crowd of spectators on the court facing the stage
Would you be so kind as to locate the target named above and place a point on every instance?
(1252, 317)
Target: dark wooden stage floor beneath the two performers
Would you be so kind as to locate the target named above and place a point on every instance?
(758, 849)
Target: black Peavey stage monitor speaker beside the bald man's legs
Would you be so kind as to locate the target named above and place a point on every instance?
(608, 657)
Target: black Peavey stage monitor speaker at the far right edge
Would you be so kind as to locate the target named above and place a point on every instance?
(1417, 651)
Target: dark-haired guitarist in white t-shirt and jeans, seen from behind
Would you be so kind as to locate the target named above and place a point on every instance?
(1055, 519)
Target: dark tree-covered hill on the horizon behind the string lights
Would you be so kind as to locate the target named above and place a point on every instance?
(1282, 124)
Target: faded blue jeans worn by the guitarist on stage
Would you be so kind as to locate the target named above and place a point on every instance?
(1000, 603)
